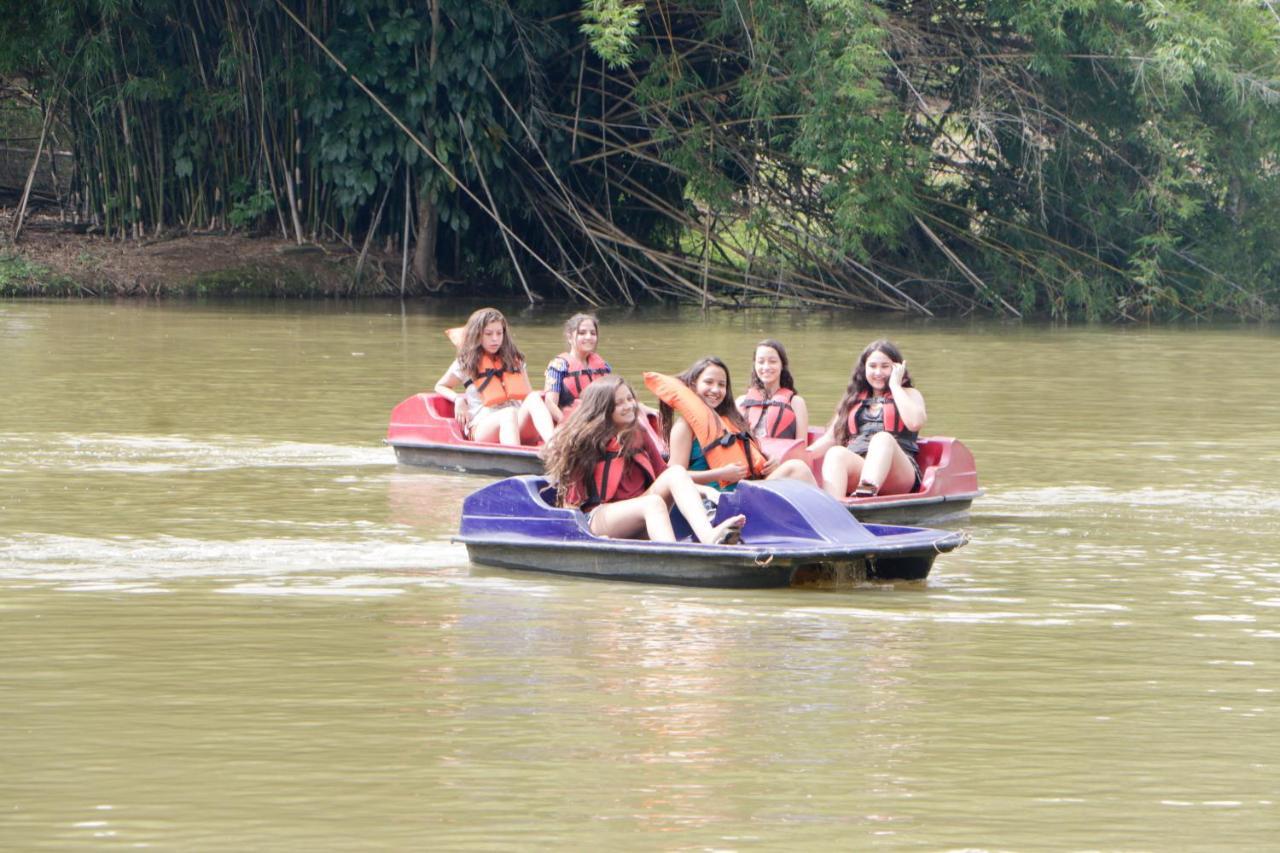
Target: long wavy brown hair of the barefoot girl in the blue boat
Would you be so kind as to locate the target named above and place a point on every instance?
(583, 440)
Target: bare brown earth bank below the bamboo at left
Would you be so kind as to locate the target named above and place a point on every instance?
(57, 261)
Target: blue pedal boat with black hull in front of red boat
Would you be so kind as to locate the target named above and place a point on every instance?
(794, 533)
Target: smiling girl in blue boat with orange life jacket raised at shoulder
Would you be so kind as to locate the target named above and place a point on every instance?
(711, 437)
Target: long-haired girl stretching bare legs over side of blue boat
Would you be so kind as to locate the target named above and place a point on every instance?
(606, 464)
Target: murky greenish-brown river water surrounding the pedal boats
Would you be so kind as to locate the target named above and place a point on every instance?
(228, 621)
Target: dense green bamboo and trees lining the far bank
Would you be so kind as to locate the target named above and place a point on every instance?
(1072, 158)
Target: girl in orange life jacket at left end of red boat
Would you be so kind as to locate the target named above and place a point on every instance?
(496, 403)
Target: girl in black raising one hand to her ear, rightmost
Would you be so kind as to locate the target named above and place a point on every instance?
(870, 446)
